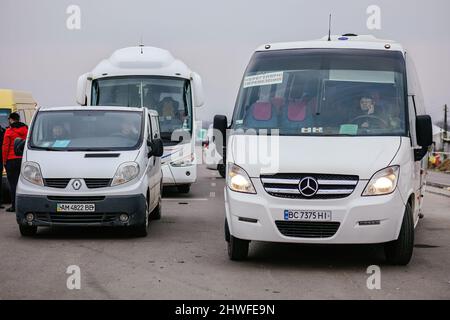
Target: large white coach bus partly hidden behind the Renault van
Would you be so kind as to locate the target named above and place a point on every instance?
(152, 78)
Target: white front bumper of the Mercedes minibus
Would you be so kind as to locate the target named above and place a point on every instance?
(261, 211)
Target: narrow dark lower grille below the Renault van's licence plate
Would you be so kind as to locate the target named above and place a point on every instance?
(74, 218)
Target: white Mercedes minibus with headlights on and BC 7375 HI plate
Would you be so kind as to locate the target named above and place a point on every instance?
(345, 126)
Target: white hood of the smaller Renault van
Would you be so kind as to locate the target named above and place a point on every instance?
(63, 164)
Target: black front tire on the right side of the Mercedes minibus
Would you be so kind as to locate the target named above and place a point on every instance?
(399, 252)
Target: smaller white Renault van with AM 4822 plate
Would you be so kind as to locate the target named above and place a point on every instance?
(96, 166)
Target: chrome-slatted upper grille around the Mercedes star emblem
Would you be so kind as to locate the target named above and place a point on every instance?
(330, 186)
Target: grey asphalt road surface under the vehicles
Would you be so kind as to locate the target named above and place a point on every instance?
(184, 257)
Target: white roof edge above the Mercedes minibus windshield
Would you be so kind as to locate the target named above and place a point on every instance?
(347, 41)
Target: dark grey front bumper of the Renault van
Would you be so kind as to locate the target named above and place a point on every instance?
(107, 211)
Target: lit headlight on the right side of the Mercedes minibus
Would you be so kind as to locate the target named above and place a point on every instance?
(383, 182)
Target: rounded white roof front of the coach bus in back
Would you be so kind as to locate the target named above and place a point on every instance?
(144, 61)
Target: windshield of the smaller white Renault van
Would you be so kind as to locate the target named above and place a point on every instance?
(91, 130)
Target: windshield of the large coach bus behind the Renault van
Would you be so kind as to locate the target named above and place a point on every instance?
(170, 97)
